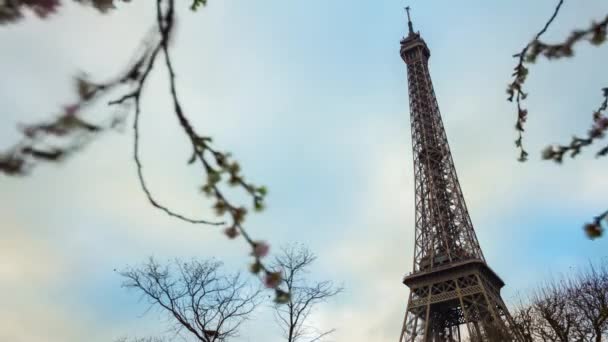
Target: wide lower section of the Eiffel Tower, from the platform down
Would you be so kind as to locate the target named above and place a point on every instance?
(457, 302)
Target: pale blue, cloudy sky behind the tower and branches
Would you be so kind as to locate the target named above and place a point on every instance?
(311, 98)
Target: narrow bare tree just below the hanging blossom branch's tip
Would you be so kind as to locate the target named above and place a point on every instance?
(294, 262)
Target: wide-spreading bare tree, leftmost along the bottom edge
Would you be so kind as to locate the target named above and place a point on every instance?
(209, 306)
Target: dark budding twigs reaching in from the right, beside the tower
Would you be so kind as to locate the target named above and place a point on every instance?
(595, 34)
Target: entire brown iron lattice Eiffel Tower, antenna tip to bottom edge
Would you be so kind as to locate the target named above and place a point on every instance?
(454, 295)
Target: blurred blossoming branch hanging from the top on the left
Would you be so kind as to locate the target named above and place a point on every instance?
(219, 169)
